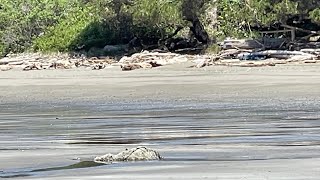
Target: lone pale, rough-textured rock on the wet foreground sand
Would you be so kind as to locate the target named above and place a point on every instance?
(135, 154)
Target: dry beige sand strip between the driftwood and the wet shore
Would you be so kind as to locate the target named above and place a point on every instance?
(165, 83)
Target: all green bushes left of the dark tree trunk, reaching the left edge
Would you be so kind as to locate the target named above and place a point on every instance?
(66, 25)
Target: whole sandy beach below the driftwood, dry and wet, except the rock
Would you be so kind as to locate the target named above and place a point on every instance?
(211, 123)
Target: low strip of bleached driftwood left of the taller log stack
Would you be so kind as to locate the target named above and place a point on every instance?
(143, 60)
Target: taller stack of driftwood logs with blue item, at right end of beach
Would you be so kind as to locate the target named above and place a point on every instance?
(252, 53)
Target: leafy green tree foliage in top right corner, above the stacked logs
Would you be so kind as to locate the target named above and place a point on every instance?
(236, 18)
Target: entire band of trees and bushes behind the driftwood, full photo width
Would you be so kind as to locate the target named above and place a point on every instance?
(84, 25)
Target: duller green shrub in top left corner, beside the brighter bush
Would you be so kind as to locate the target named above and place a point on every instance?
(22, 20)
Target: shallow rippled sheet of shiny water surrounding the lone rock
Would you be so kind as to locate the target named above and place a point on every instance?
(39, 140)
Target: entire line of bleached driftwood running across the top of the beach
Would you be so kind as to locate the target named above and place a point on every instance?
(242, 53)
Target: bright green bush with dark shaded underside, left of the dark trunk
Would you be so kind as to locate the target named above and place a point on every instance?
(90, 25)
